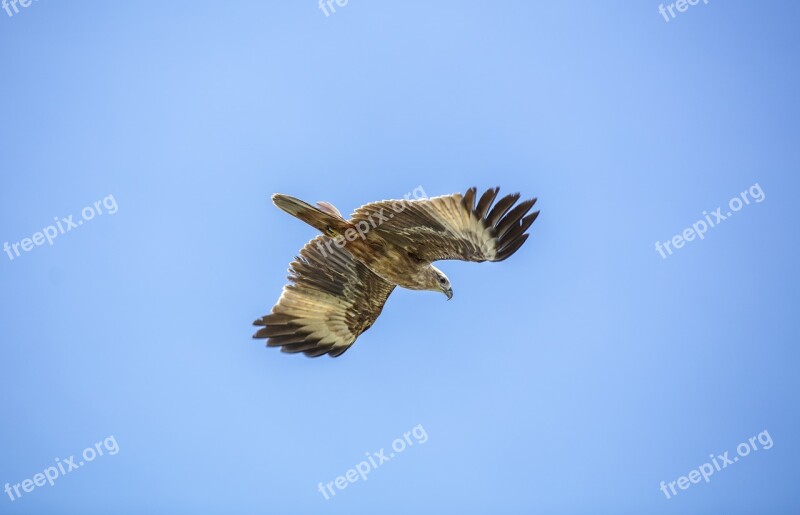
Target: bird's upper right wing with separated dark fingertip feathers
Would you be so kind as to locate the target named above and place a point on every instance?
(452, 226)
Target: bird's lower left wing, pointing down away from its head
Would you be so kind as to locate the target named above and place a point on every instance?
(331, 299)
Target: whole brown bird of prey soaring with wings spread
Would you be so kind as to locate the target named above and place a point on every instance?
(339, 283)
